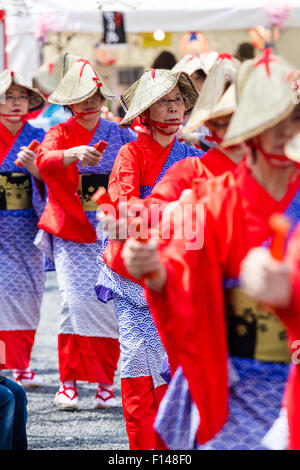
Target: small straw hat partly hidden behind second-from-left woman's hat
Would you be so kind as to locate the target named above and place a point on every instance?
(49, 75)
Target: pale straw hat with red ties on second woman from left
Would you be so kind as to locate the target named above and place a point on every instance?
(80, 81)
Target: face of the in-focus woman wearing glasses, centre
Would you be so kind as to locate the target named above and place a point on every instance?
(169, 109)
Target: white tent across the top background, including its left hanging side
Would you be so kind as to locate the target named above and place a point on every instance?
(140, 16)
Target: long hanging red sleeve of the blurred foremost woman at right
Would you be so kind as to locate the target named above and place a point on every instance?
(190, 318)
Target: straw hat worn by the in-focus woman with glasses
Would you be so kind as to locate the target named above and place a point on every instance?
(153, 85)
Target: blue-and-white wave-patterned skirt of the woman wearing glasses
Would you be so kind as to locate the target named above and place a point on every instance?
(142, 353)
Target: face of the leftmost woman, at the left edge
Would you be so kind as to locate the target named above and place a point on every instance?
(16, 102)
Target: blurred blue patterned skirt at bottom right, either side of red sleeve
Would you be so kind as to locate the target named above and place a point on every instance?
(254, 405)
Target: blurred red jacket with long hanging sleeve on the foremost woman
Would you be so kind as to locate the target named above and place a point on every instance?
(190, 312)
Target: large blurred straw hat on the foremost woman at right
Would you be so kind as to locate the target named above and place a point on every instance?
(264, 96)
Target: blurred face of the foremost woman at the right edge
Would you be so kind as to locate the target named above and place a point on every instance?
(274, 140)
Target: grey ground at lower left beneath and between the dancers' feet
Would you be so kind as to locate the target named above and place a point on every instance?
(51, 428)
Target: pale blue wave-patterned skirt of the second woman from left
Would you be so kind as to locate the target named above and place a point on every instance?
(77, 273)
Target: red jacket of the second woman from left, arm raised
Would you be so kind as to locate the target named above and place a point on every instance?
(64, 215)
